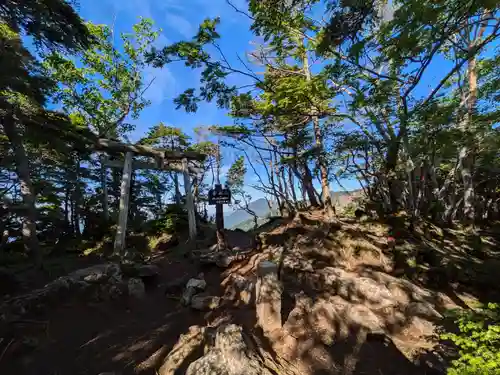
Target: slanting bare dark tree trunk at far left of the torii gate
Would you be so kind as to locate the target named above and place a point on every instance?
(30, 238)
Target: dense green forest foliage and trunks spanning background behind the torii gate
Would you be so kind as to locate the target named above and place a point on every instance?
(333, 90)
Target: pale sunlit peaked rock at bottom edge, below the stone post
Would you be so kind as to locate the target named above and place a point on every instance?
(229, 355)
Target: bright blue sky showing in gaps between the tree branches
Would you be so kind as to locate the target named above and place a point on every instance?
(179, 20)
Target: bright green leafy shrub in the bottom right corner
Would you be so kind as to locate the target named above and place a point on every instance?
(478, 341)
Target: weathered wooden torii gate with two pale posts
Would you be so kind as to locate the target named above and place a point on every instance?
(162, 161)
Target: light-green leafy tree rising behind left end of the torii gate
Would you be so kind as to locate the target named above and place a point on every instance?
(107, 88)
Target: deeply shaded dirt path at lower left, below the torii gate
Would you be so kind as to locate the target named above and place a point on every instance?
(122, 338)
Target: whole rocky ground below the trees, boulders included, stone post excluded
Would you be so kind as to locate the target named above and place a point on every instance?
(347, 305)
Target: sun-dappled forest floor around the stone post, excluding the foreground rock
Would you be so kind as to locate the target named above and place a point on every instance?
(350, 305)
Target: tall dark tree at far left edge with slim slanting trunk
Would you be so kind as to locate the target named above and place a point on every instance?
(24, 88)
